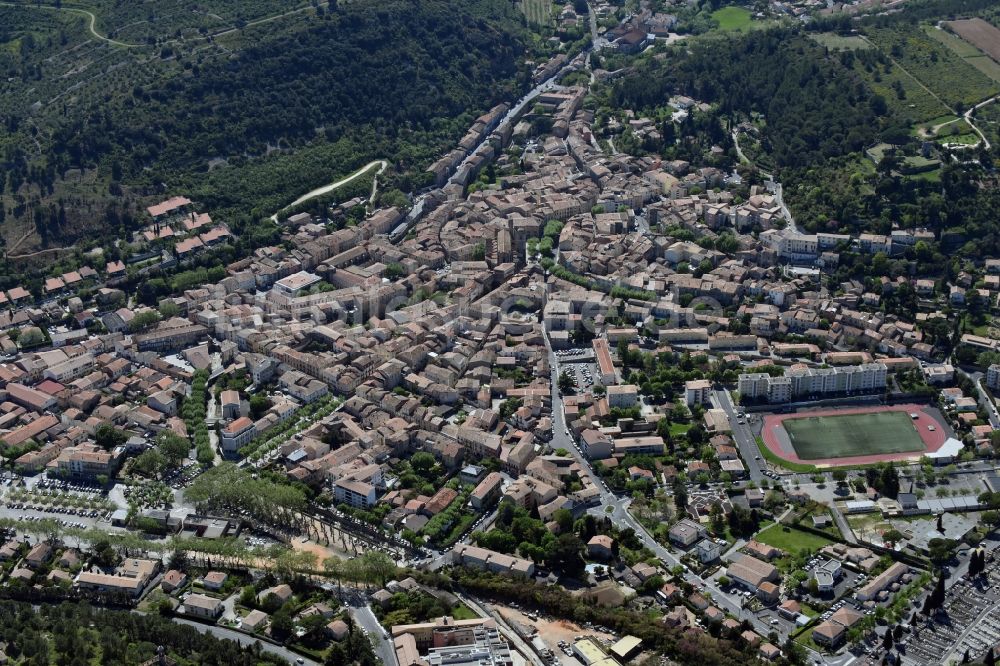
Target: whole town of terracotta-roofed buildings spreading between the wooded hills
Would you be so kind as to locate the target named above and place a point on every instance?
(571, 405)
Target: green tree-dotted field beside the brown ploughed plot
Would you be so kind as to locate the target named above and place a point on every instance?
(947, 76)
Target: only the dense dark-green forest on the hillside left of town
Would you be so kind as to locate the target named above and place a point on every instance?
(395, 65)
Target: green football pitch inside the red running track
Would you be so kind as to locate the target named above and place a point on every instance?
(817, 437)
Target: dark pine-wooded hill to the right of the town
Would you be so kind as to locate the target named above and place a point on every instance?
(815, 108)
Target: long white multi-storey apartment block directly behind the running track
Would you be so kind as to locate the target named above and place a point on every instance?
(800, 382)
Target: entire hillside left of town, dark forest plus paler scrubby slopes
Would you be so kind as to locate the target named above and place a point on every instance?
(272, 109)
